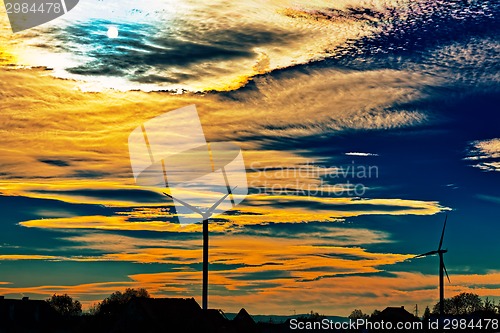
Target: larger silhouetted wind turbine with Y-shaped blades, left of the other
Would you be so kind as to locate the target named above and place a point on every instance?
(205, 216)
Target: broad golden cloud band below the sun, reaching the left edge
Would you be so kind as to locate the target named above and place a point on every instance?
(81, 136)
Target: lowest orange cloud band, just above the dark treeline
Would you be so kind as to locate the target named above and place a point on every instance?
(334, 296)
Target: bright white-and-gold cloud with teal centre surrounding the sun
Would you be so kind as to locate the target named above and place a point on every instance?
(195, 46)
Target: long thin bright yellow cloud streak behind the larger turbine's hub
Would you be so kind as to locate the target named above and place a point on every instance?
(256, 209)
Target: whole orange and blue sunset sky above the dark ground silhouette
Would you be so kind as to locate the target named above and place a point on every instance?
(362, 124)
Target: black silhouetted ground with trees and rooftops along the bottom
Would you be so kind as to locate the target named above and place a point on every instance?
(135, 311)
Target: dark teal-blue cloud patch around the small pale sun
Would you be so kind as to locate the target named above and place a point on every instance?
(144, 51)
